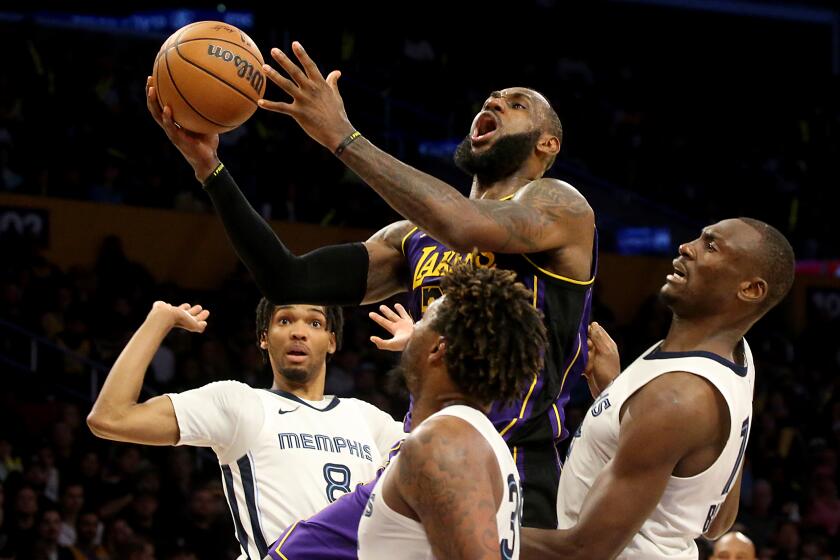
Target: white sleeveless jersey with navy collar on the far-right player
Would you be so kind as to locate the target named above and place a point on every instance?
(688, 505)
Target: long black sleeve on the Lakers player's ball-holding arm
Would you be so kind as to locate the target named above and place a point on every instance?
(333, 275)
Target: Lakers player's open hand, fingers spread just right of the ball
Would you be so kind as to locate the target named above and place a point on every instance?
(316, 103)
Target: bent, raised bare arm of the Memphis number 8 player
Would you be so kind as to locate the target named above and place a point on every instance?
(116, 414)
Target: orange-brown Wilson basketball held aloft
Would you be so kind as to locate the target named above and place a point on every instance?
(210, 74)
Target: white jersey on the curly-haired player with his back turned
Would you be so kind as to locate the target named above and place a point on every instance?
(385, 534)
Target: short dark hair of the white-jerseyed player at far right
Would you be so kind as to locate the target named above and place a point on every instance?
(776, 261)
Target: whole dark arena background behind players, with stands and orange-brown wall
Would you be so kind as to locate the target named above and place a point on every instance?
(676, 113)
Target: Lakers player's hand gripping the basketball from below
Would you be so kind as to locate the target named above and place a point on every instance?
(198, 149)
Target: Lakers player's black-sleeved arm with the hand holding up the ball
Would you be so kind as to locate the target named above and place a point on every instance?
(336, 275)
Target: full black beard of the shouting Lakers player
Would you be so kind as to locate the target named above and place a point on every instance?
(500, 160)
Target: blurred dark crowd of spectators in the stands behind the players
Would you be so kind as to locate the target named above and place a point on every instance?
(705, 132)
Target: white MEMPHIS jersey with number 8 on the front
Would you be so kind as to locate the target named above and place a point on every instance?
(282, 458)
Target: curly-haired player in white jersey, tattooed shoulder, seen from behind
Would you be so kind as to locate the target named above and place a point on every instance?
(453, 490)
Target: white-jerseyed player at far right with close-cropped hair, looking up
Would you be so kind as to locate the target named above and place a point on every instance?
(657, 461)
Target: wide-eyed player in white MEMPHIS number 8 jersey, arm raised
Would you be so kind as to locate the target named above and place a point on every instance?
(284, 453)
